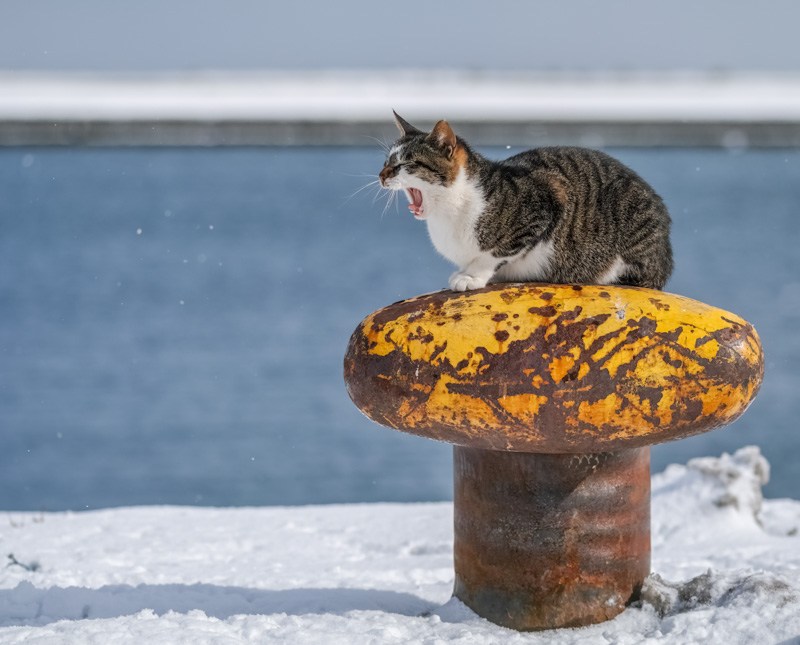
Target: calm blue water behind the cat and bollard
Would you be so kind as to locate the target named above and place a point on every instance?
(173, 321)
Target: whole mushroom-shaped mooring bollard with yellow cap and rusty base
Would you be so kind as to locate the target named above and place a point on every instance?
(552, 395)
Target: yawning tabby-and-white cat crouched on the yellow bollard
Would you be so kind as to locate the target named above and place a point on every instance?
(557, 214)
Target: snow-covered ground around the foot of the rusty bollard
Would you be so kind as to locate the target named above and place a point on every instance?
(725, 565)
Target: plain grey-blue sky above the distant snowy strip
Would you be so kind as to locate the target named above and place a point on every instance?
(555, 35)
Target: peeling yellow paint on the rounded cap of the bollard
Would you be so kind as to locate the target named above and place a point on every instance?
(611, 363)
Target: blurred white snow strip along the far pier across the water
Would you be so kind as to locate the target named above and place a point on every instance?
(347, 96)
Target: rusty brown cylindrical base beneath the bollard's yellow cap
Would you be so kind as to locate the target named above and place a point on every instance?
(547, 541)
